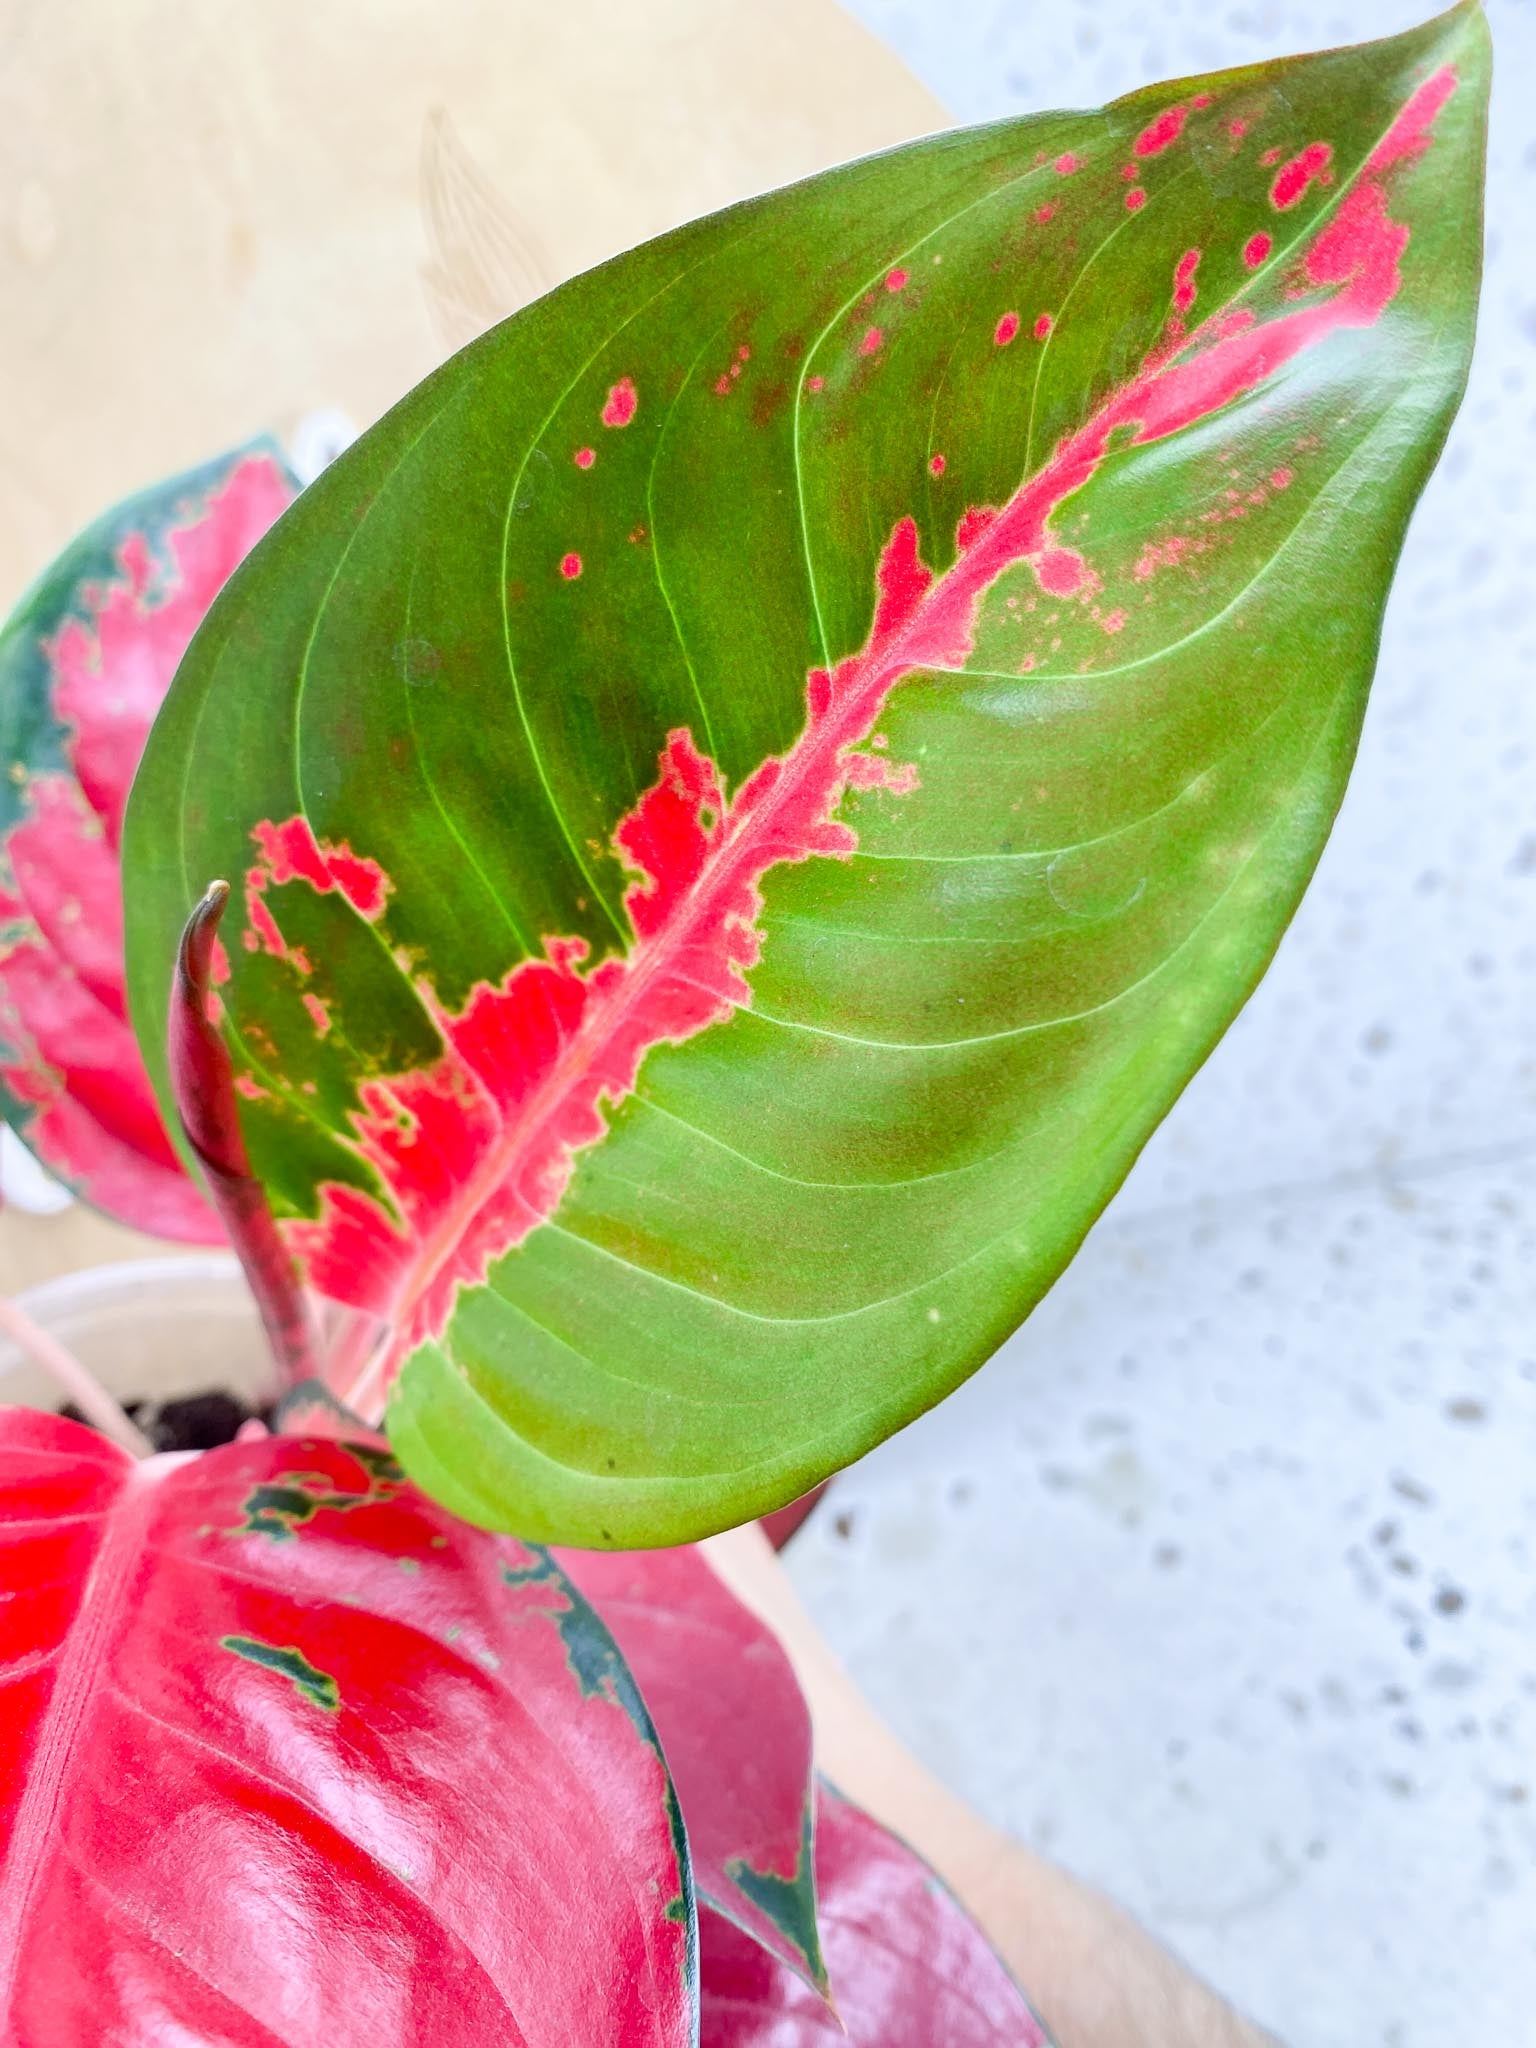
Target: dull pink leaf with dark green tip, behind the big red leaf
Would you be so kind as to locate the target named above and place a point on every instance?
(736, 1736)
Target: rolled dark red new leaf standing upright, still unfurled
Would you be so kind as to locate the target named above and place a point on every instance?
(204, 1078)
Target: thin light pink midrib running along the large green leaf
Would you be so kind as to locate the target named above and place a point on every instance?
(861, 687)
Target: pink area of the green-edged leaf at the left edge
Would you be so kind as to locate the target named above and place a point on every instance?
(67, 1046)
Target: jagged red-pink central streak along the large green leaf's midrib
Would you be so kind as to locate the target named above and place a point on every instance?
(476, 1150)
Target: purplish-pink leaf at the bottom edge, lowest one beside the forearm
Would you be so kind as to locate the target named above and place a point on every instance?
(908, 1965)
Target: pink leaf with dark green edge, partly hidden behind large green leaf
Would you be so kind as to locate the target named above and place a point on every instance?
(85, 663)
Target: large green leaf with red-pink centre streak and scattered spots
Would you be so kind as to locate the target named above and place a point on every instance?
(701, 1066)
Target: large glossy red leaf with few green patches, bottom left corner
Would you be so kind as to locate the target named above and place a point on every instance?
(290, 1756)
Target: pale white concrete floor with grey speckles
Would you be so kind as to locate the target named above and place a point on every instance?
(1222, 1582)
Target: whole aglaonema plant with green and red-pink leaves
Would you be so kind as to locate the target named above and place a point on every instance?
(738, 806)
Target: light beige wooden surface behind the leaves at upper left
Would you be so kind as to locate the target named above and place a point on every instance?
(220, 218)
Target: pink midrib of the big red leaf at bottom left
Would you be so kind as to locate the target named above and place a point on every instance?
(32, 1836)
